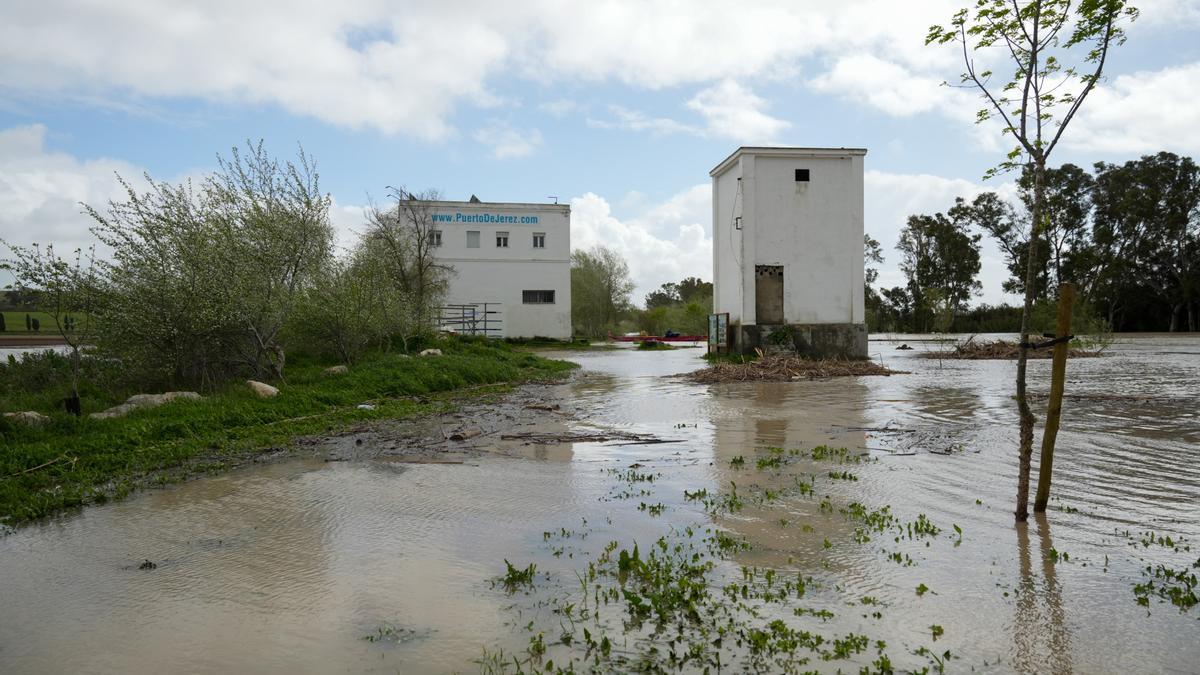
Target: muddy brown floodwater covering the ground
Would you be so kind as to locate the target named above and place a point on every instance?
(290, 566)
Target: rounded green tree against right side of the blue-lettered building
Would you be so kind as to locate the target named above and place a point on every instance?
(601, 290)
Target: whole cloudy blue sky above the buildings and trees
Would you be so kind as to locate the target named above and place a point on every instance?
(620, 109)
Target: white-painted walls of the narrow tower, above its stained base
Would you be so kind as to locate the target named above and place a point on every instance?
(814, 231)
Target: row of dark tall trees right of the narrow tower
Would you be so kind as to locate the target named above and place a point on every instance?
(1126, 235)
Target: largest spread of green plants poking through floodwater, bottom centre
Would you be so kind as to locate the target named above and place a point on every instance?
(682, 604)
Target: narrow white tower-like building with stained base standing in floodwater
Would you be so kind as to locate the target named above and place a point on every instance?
(788, 249)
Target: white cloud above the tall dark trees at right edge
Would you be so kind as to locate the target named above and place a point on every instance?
(1143, 112)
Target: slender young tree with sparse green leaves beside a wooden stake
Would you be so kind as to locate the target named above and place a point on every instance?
(1057, 51)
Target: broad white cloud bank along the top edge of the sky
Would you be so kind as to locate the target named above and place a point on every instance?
(406, 69)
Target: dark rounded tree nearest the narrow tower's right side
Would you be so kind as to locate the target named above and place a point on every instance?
(941, 261)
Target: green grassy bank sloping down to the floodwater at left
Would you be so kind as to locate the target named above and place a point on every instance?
(76, 462)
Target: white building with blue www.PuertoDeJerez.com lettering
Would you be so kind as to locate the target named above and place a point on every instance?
(514, 258)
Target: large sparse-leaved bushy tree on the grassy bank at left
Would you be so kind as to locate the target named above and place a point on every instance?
(203, 279)
